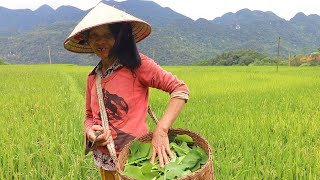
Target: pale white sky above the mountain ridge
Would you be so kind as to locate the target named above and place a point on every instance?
(192, 8)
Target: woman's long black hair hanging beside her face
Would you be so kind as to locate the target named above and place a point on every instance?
(124, 48)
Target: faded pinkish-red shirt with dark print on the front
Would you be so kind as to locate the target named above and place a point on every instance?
(126, 99)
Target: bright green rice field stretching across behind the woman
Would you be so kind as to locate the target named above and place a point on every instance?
(261, 124)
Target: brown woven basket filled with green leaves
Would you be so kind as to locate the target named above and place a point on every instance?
(205, 172)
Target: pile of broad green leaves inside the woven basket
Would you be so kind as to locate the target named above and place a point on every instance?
(187, 158)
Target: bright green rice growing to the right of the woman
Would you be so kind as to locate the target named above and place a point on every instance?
(261, 124)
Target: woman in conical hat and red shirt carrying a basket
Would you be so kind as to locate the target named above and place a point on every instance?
(126, 77)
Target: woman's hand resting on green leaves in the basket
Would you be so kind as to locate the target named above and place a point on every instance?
(160, 146)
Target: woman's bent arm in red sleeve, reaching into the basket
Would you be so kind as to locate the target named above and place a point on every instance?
(152, 75)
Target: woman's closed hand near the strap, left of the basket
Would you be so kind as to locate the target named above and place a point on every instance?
(102, 139)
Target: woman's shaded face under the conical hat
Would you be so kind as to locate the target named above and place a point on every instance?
(101, 40)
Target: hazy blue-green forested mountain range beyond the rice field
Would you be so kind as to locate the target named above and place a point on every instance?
(26, 36)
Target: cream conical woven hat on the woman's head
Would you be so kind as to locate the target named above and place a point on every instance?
(103, 14)
